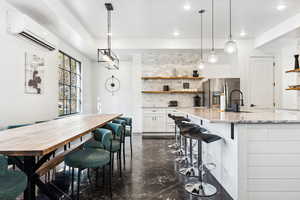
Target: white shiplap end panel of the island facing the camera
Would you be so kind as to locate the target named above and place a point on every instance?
(272, 169)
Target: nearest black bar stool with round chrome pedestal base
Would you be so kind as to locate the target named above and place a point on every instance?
(201, 188)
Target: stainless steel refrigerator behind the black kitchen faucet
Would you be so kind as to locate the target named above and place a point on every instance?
(213, 88)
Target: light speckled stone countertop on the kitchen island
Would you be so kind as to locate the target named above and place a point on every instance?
(255, 116)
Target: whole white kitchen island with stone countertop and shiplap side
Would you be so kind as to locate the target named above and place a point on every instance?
(259, 156)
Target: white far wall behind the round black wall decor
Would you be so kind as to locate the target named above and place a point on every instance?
(128, 99)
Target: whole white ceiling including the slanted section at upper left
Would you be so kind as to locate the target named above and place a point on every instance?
(82, 23)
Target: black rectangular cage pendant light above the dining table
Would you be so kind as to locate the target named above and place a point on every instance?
(107, 55)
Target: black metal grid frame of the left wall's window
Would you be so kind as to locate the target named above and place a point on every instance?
(67, 102)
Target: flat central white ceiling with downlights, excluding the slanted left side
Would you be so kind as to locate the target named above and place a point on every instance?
(159, 18)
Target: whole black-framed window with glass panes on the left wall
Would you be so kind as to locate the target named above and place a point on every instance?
(69, 72)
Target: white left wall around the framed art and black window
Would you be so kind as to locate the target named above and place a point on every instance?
(18, 107)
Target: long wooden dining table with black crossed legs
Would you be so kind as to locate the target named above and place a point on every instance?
(38, 143)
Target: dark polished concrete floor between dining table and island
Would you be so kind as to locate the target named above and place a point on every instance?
(150, 175)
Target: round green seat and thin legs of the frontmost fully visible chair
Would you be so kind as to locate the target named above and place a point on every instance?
(86, 159)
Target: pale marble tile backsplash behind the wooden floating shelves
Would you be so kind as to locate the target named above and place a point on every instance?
(169, 64)
